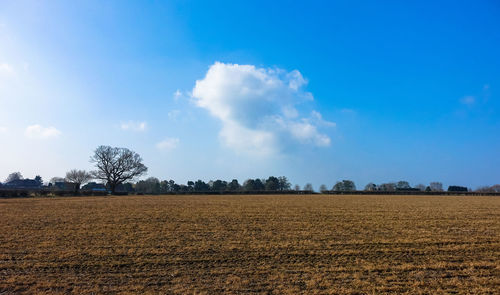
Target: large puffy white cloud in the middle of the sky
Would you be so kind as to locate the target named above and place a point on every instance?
(259, 107)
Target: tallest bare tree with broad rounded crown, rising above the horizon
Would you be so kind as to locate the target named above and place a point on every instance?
(116, 165)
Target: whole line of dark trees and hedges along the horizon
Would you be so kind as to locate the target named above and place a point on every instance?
(117, 168)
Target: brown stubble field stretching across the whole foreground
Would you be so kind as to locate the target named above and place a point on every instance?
(313, 244)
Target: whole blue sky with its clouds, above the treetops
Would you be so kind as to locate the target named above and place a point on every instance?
(319, 91)
